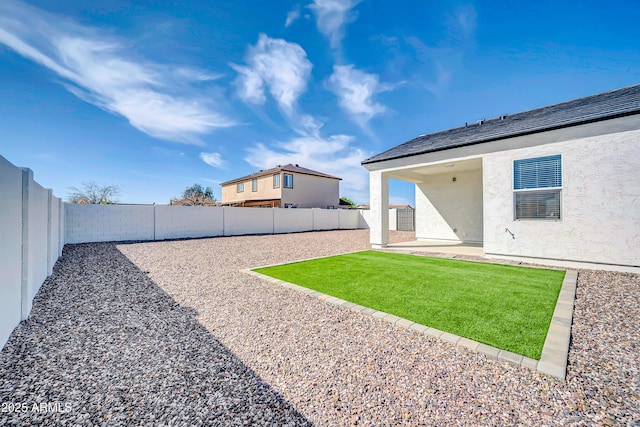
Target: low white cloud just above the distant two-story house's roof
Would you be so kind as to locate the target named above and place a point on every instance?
(334, 155)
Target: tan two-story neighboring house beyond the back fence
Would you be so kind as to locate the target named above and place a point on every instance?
(285, 186)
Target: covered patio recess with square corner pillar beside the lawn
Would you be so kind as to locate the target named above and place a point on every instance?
(449, 208)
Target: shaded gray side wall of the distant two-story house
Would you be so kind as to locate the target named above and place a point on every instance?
(311, 191)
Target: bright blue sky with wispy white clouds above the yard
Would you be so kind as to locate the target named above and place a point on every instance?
(154, 96)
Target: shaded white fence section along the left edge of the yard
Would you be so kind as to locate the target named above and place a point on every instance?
(31, 240)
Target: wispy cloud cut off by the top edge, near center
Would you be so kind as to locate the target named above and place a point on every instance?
(332, 16)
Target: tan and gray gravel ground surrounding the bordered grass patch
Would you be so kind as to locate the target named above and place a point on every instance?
(171, 333)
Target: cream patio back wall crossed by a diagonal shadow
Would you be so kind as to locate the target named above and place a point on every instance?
(450, 210)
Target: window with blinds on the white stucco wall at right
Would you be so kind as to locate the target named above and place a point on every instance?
(537, 184)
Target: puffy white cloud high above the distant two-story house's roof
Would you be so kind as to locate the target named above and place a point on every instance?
(276, 65)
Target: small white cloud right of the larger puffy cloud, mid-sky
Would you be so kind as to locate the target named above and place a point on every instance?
(355, 90)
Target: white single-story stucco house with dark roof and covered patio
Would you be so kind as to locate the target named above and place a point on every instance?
(554, 185)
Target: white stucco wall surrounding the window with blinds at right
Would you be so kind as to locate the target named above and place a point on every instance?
(600, 203)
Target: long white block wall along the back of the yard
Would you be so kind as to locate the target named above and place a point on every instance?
(106, 223)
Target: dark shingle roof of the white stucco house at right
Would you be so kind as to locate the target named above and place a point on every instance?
(608, 105)
